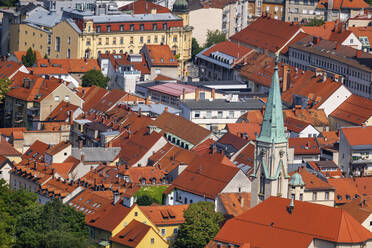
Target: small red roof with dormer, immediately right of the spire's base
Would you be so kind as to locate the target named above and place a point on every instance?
(304, 146)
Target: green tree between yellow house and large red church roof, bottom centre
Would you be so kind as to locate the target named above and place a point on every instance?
(200, 226)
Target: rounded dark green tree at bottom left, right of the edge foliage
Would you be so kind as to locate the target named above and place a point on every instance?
(51, 225)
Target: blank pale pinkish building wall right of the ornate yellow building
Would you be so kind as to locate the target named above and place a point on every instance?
(211, 19)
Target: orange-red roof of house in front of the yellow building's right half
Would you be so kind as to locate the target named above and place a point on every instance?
(161, 55)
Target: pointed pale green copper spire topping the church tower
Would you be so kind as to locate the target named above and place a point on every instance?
(272, 130)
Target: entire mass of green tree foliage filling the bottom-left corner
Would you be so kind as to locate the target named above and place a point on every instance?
(25, 223)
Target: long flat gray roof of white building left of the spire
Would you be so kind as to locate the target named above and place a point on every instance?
(222, 104)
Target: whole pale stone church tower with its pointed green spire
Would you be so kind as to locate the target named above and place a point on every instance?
(270, 175)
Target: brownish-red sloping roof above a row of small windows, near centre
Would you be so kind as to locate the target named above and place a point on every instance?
(181, 127)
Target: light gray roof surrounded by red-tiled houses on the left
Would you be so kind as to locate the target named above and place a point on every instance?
(96, 154)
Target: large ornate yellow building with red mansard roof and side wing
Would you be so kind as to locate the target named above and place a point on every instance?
(88, 36)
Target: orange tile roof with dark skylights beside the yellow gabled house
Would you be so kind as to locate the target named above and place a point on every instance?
(165, 215)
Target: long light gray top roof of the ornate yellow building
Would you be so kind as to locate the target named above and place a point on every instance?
(134, 18)
